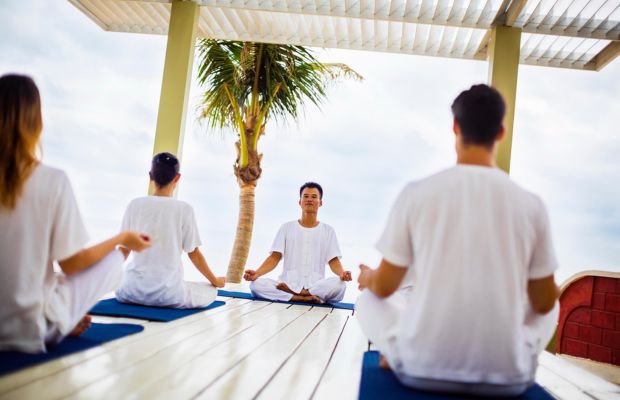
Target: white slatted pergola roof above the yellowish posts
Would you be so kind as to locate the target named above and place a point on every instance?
(578, 34)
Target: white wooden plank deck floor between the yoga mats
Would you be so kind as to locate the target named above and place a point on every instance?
(243, 350)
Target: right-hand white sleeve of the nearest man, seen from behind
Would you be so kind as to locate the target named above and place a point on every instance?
(543, 262)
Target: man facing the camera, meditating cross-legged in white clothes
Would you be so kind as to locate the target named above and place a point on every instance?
(306, 245)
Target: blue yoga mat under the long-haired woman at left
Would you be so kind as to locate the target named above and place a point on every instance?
(97, 334)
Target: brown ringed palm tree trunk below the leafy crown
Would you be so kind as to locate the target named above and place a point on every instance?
(243, 237)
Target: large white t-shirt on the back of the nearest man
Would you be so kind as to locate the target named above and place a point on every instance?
(474, 239)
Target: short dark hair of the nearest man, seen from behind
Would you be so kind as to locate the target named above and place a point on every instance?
(479, 112)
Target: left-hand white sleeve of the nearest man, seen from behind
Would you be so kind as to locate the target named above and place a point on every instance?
(395, 243)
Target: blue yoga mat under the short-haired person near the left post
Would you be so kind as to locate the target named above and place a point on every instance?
(114, 308)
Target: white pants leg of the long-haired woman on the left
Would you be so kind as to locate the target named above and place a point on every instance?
(76, 294)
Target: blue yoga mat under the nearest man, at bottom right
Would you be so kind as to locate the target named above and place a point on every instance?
(380, 383)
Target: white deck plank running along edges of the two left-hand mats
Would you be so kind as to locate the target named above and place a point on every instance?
(26, 376)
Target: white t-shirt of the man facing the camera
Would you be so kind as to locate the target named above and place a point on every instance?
(305, 252)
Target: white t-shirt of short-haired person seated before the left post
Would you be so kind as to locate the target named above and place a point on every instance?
(155, 275)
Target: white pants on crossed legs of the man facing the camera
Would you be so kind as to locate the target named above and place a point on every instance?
(329, 290)
